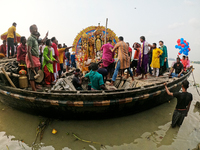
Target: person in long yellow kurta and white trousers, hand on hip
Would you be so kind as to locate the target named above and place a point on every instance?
(155, 63)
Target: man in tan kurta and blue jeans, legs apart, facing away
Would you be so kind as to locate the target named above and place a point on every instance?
(123, 59)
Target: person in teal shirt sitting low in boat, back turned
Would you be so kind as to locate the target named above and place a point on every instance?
(96, 78)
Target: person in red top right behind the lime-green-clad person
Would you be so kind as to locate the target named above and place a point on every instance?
(56, 66)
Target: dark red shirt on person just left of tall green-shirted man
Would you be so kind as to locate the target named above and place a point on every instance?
(21, 52)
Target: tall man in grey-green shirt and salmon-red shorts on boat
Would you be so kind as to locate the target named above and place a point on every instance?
(32, 57)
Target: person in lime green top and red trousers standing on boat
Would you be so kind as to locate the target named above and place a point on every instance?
(48, 64)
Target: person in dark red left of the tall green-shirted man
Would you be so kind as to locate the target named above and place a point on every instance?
(21, 51)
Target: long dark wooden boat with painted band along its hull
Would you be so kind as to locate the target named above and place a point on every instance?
(92, 104)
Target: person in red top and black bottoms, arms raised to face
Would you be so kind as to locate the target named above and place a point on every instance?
(136, 47)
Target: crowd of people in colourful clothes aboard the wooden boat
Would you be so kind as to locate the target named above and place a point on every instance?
(50, 56)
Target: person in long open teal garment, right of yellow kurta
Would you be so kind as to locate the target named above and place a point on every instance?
(163, 58)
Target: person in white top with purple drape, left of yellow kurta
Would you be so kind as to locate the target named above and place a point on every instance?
(143, 58)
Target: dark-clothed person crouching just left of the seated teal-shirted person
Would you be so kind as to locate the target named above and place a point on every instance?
(77, 81)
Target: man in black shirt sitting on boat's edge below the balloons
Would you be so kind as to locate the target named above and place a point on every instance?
(178, 66)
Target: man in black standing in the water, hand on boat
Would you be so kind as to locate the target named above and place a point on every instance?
(183, 104)
